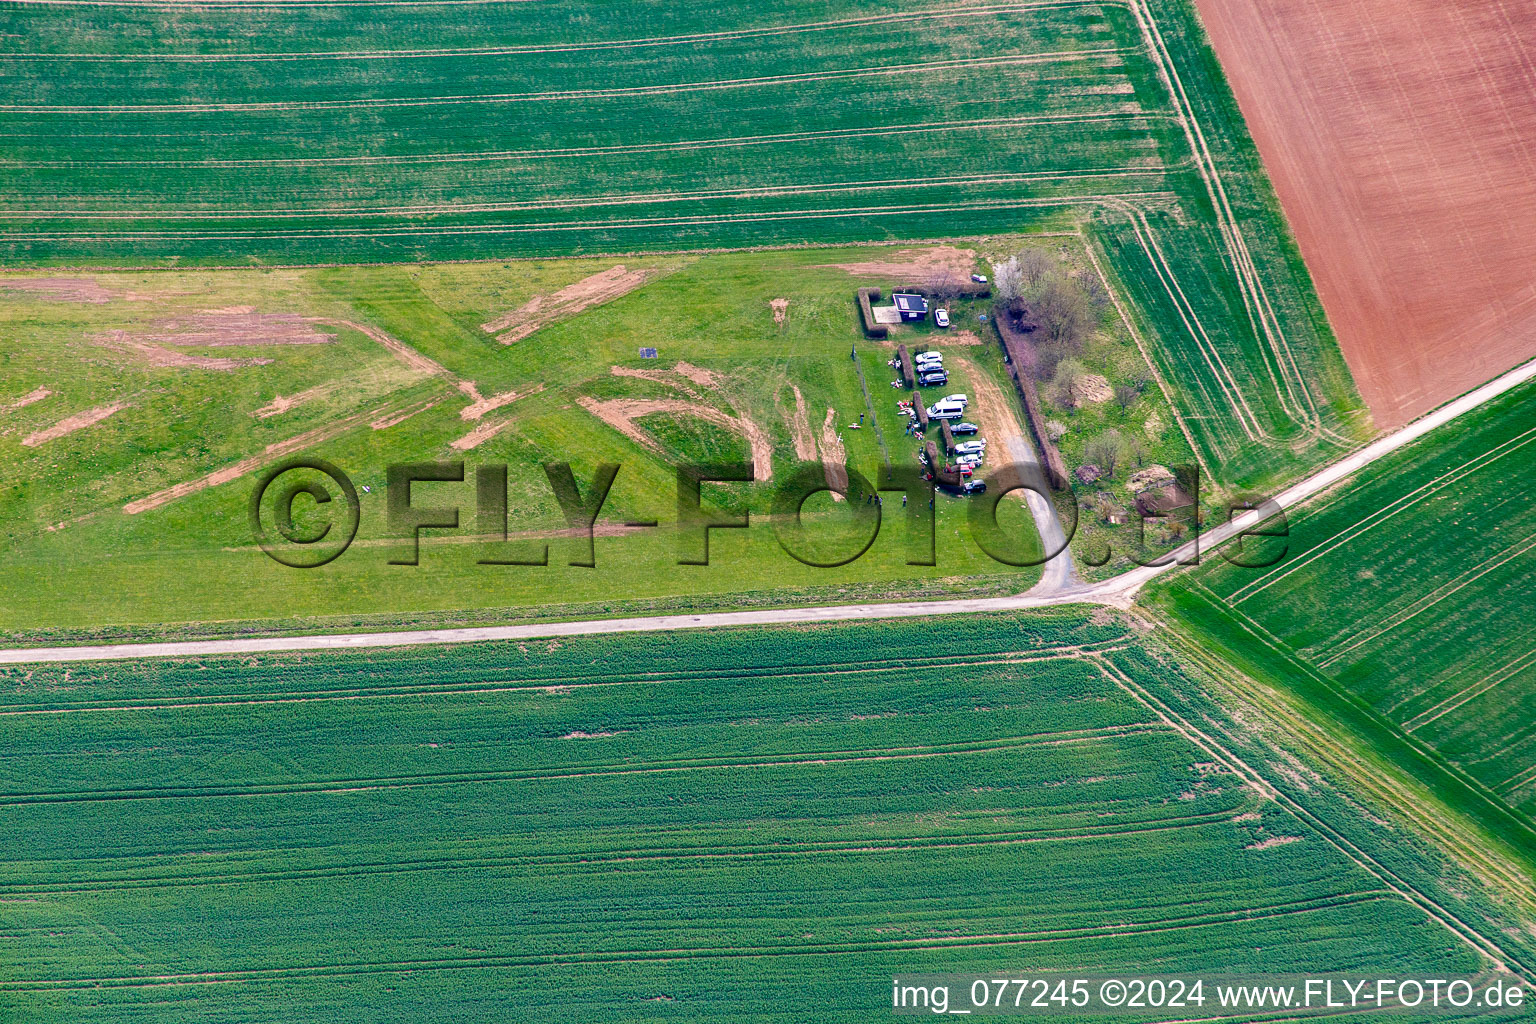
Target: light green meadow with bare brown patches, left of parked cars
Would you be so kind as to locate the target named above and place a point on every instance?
(98, 537)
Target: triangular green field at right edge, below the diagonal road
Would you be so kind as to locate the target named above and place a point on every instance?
(1400, 613)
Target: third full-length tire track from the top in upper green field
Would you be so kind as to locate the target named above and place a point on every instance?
(730, 142)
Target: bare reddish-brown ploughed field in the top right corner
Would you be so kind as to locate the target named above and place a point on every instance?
(1402, 137)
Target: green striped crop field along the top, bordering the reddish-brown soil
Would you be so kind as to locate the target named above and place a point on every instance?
(337, 139)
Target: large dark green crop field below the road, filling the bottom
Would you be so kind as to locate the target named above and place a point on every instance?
(707, 827)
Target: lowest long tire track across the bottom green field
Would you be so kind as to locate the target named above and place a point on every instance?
(555, 959)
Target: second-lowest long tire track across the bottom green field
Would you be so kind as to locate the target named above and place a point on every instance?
(600, 860)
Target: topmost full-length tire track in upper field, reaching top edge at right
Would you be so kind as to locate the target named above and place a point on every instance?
(686, 39)
